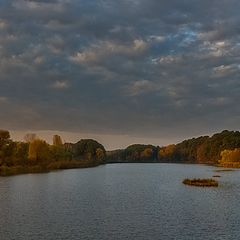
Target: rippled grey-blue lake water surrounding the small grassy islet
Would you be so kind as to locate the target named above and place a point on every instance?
(120, 201)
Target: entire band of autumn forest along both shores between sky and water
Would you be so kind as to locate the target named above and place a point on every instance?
(36, 155)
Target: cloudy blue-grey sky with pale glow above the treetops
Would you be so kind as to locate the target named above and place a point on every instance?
(147, 71)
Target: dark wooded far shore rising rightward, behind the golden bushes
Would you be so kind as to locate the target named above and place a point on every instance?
(203, 149)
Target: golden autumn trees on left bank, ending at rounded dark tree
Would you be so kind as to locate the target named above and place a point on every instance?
(36, 155)
